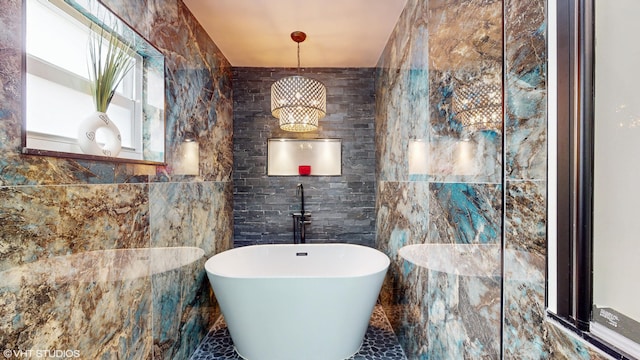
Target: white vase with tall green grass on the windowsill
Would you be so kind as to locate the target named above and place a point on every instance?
(109, 62)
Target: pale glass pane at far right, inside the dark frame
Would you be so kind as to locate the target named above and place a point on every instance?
(616, 243)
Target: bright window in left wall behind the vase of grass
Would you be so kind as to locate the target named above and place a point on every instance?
(57, 83)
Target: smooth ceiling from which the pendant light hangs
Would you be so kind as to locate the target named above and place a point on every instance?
(340, 33)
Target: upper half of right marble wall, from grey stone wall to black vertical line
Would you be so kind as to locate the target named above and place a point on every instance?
(430, 55)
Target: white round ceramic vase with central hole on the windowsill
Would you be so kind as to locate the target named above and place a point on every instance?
(87, 135)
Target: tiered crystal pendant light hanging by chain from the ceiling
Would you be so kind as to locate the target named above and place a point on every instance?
(297, 101)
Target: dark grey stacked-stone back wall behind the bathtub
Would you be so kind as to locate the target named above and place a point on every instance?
(342, 207)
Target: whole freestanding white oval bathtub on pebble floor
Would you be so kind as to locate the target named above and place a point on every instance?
(293, 302)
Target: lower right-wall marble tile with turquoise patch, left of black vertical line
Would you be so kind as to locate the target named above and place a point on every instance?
(464, 309)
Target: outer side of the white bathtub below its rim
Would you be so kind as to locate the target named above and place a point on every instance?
(300, 315)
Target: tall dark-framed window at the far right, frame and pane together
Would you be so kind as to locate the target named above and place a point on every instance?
(596, 291)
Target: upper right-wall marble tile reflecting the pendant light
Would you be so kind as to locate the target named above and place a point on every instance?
(463, 53)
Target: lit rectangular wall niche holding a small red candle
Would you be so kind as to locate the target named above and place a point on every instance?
(315, 157)
